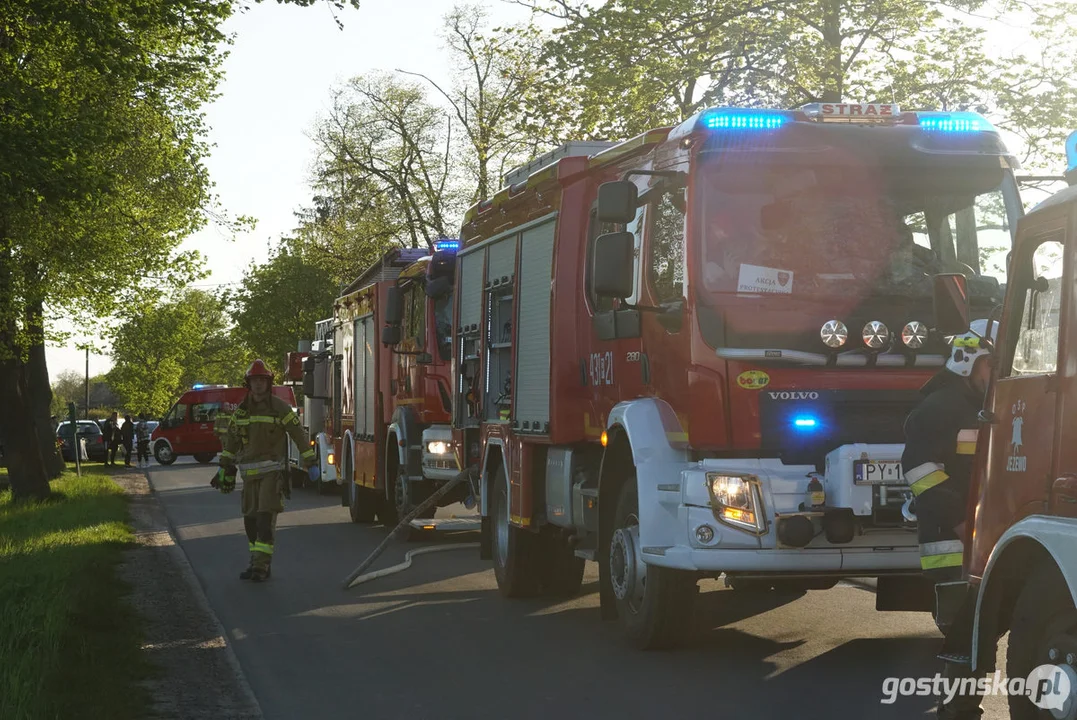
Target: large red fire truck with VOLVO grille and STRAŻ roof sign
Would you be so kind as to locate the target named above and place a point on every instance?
(692, 354)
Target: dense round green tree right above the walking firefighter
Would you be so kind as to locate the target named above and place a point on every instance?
(278, 304)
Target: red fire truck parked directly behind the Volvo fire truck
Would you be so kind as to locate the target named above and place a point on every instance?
(385, 376)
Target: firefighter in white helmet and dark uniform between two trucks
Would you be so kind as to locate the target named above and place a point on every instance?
(941, 437)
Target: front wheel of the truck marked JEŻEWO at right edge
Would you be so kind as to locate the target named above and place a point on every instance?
(1044, 620)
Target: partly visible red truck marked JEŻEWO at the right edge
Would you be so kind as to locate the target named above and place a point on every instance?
(1020, 560)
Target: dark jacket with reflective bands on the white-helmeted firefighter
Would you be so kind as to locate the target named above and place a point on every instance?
(941, 439)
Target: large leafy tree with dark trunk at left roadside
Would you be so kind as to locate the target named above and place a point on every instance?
(102, 129)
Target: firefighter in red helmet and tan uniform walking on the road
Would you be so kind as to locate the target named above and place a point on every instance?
(255, 445)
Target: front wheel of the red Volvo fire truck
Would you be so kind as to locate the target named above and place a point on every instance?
(654, 604)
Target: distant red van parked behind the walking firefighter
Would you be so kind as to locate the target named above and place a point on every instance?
(188, 428)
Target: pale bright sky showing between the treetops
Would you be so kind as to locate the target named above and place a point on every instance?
(278, 77)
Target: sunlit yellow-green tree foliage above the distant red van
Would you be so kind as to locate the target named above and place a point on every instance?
(162, 350)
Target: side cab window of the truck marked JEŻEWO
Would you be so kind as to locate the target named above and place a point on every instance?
(1041, 306)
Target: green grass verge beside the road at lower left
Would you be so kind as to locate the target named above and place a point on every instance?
(69, 641)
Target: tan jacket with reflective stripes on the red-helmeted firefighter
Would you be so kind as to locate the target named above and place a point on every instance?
(256, 441)
